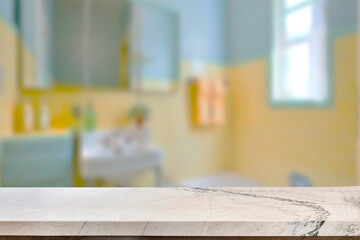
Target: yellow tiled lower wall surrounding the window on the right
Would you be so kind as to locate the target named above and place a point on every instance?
(270, 143)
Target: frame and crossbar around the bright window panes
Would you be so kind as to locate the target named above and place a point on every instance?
(274, 68)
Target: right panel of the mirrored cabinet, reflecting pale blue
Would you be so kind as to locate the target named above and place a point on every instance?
(156, 59)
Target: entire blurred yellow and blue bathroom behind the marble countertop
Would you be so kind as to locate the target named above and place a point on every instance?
(190, 93)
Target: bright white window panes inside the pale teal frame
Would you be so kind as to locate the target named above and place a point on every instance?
(299, 61)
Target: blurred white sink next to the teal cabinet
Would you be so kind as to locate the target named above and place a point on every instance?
(105, 155)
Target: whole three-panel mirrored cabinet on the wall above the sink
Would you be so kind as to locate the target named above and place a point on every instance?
(110, 44)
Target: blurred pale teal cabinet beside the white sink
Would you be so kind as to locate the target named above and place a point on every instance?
(37, 161)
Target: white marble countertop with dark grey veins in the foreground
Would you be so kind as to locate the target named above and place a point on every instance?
(180, 211)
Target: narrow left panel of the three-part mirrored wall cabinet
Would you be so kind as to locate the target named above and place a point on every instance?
(35, 20)
